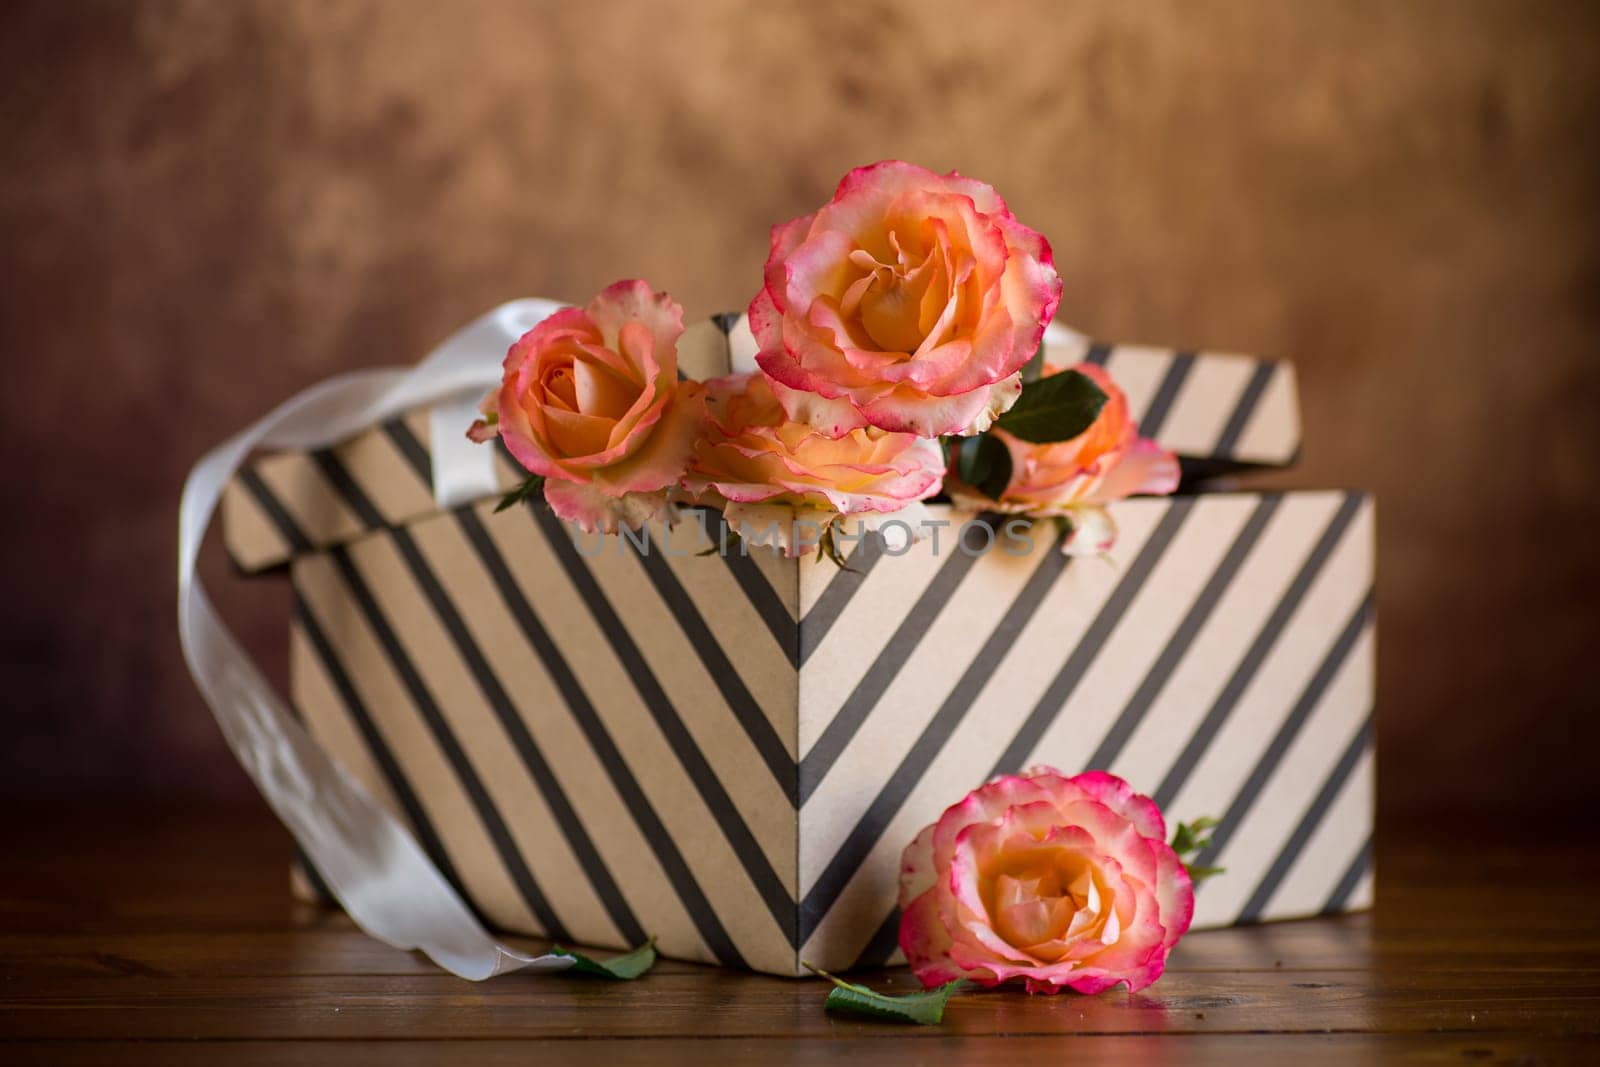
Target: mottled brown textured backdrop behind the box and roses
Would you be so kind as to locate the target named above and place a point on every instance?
(210, 206)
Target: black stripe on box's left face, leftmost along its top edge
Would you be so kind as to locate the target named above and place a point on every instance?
(423, 700)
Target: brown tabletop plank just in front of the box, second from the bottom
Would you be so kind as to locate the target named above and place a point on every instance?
(718, 1004)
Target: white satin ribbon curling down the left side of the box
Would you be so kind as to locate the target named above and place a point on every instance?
(367, 858)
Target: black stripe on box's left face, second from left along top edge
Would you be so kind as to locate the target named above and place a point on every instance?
(527, 748)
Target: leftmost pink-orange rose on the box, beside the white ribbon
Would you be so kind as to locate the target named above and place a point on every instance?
(591, 401)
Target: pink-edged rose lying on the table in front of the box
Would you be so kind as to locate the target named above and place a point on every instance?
(1062, 882)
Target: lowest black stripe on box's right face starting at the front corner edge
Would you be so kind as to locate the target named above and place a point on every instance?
(876, 820)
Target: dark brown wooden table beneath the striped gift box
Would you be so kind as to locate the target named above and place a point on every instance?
(169, 937)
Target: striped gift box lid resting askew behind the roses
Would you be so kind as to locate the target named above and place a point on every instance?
(1217, 412)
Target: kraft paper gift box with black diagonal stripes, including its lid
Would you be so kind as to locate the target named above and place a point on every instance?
(602, 740)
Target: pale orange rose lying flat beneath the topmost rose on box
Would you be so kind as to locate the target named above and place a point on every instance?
(769, 473)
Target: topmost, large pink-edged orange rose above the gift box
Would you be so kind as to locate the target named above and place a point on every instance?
(910, 303)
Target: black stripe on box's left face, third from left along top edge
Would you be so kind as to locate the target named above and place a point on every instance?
(583, 713)
